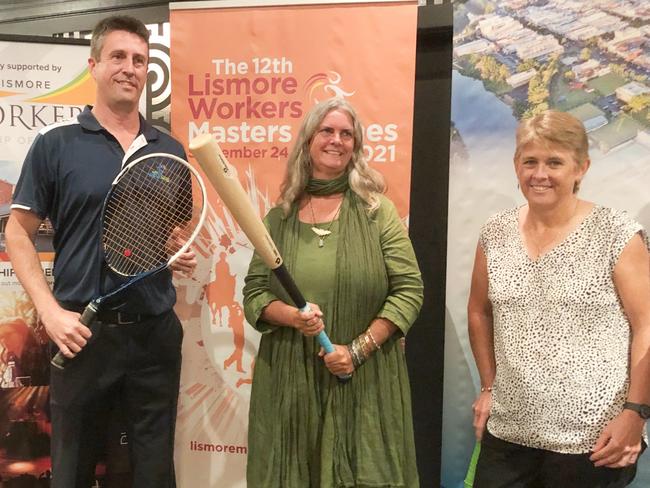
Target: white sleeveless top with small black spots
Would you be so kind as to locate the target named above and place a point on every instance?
(561, 337)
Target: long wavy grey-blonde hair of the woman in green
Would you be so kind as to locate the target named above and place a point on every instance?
(364, 181)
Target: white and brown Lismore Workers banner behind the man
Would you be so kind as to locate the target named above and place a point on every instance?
(40, 83)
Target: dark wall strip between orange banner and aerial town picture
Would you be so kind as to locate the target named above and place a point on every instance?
(428, 229)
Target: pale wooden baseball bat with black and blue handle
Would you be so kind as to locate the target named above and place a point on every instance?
(224, 179)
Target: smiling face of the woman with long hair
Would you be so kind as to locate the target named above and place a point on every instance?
(332, 145)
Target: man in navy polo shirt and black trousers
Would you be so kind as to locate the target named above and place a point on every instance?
(135, 351)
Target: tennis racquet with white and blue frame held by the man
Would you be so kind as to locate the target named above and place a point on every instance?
(151, 215)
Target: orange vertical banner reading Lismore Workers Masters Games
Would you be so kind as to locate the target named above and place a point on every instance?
(247, 75)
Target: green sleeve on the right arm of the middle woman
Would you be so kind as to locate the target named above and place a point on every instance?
(405, 292)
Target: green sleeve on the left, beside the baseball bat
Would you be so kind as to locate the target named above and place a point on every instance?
(257, 291)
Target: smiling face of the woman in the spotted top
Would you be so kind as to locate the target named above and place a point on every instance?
(548, 172)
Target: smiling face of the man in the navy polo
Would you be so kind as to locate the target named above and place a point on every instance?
(121, 70)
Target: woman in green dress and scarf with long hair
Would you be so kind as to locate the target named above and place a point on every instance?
(350, 255)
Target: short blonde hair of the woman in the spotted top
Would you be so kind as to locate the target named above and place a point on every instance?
(554, 127)
